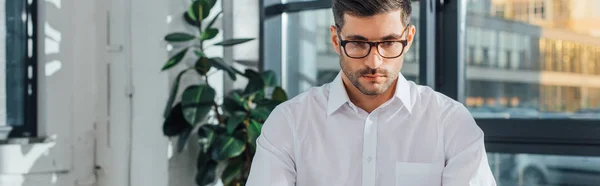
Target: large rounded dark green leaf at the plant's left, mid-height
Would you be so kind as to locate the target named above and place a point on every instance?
(197, 100)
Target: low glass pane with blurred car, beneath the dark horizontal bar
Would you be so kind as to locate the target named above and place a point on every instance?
(534, 169)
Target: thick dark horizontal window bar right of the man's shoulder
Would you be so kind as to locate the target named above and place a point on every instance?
(542, 136)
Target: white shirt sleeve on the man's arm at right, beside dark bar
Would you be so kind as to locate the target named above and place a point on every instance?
(465, 155)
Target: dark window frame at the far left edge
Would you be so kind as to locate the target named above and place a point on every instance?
(29, 127)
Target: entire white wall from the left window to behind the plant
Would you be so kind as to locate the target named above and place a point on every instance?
(102, 94)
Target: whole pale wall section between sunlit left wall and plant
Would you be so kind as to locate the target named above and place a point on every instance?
(131, 147)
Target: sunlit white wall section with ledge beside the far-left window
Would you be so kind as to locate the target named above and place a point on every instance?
(66, 101)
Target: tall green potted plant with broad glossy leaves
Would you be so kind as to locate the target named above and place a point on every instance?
(229, 138)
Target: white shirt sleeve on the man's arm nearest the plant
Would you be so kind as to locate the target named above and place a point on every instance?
(273, 163)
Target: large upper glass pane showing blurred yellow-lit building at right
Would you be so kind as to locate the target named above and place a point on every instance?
(533, 58)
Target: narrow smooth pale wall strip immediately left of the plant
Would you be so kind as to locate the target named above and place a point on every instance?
(148, 158)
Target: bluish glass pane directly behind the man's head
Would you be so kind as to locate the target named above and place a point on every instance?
(309, 57)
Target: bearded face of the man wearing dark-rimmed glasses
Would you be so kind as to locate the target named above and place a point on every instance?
(372, 74)
